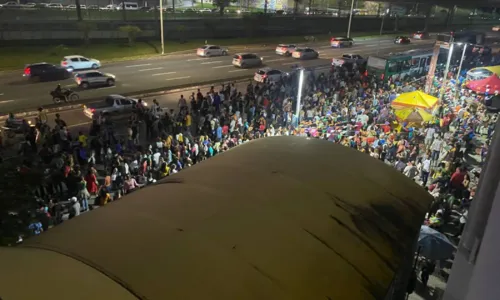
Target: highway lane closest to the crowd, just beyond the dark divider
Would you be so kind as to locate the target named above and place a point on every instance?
(32, 97)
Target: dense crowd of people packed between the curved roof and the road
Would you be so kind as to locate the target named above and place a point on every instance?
(342, 106)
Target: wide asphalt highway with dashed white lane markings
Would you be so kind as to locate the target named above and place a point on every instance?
(17, 94)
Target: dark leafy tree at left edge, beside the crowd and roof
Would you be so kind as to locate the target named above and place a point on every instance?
(18, 205)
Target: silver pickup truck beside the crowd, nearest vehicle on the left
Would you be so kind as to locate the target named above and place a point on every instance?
(112, 104)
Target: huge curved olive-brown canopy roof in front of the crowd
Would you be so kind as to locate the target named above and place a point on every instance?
(276, 218)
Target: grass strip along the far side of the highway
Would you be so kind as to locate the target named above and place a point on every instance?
(15, 58)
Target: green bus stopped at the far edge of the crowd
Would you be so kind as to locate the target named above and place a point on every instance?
(414, 63)
